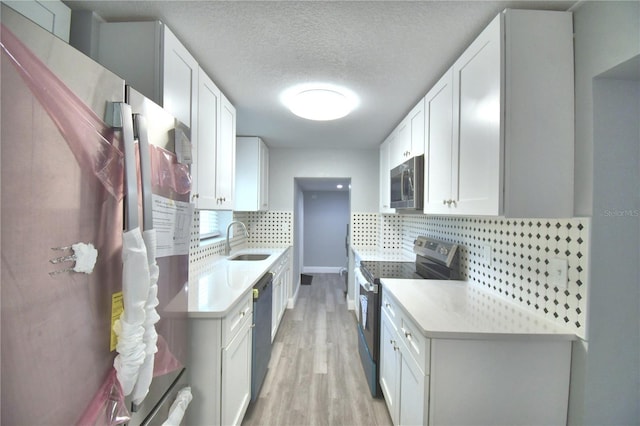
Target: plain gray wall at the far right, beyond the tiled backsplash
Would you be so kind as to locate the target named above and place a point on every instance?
(605, 382)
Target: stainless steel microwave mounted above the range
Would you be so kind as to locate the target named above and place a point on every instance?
(407, 182)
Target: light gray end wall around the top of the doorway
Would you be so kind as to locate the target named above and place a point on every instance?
(360, 165)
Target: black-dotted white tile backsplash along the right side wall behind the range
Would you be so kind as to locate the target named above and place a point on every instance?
(518, 265)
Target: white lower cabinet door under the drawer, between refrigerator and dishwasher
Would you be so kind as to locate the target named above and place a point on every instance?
(236, 377)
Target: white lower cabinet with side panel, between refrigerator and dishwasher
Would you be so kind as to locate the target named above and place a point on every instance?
(220, 366)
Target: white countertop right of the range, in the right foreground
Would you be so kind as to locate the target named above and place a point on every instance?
(457, 309)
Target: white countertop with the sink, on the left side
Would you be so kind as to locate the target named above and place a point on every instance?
(217, 285)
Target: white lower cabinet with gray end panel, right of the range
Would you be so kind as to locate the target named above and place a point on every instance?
(499, 380)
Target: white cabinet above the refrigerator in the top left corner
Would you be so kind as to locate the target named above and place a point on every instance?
(52, 15)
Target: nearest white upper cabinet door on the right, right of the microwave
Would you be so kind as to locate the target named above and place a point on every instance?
(477, 112)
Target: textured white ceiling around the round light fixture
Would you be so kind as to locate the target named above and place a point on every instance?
(389, 52)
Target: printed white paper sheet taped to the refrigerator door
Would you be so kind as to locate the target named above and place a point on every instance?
(172, 222)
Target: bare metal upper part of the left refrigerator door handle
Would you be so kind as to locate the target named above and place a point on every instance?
(119, 116)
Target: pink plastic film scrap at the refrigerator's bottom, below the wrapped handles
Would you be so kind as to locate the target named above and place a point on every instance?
(108, 407)
